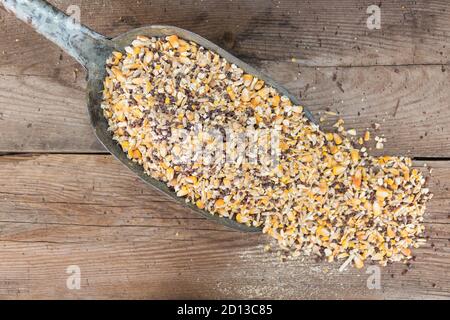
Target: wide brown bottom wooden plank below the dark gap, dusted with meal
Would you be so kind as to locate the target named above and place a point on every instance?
(132, 242)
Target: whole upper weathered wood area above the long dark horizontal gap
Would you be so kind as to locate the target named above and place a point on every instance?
(42, 99)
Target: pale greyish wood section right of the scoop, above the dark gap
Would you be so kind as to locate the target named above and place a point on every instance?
(409, 103)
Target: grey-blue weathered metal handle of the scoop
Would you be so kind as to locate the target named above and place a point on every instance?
(86, 46)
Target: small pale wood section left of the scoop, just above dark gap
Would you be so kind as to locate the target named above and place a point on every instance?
(43, 114)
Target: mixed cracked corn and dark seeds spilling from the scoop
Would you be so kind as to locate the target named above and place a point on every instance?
(323, 194)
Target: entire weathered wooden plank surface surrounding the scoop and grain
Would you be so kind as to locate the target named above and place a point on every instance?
(65, 201)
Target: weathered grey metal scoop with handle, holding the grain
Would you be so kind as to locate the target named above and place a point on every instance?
(91, 50)
